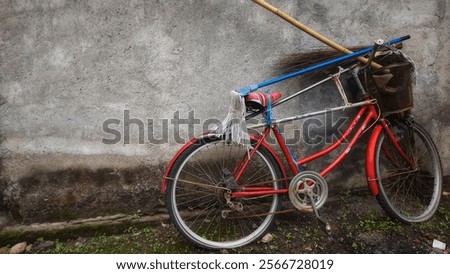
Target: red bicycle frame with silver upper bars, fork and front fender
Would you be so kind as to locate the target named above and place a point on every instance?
(366, 117)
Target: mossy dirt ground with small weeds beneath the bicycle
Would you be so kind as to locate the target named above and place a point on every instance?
(358, 226)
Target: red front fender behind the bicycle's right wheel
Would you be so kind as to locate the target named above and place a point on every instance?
(370, 160)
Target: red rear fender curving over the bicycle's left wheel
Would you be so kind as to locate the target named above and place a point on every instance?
(163, 186)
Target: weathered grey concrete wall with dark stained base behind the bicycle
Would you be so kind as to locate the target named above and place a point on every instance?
(66, 67)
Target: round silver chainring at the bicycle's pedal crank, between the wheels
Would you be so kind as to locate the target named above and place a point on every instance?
(306, 188)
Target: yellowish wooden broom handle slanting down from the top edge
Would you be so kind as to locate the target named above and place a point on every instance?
(310, 31)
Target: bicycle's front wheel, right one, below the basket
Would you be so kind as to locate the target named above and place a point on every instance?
(409, 194)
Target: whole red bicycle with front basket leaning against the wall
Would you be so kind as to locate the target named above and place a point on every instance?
(221, 195)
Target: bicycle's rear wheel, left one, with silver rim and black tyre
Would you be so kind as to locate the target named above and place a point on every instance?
(200, 183)
